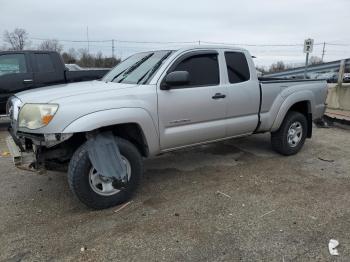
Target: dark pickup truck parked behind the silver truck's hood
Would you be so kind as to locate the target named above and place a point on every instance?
(23, 70)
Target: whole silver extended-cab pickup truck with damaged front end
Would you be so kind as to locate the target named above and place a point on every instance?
(154, 102)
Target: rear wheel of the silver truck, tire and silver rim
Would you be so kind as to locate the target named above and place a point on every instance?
(290, 137)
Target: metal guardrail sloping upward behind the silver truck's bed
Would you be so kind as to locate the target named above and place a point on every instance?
(320, 68)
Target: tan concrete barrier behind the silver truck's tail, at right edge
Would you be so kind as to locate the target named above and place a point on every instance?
(338, 97)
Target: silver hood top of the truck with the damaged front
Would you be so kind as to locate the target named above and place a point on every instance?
(52, 93)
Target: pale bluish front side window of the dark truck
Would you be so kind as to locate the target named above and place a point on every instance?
(12, 64)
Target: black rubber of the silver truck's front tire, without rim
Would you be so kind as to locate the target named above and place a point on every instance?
(78, 177)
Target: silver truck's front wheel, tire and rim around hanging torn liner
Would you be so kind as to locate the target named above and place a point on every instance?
(99, 192)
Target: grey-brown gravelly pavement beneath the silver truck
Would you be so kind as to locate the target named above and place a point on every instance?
(229, 201)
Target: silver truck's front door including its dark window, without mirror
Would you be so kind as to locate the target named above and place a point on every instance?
(195, 112)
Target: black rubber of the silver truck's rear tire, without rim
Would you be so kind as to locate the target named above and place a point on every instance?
(279, 139)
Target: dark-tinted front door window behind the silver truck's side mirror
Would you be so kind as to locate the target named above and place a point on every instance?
(203, 69)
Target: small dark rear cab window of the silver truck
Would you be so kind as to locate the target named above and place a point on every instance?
(237, 67)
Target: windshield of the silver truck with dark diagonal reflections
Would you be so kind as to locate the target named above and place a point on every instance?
(138, 68)
